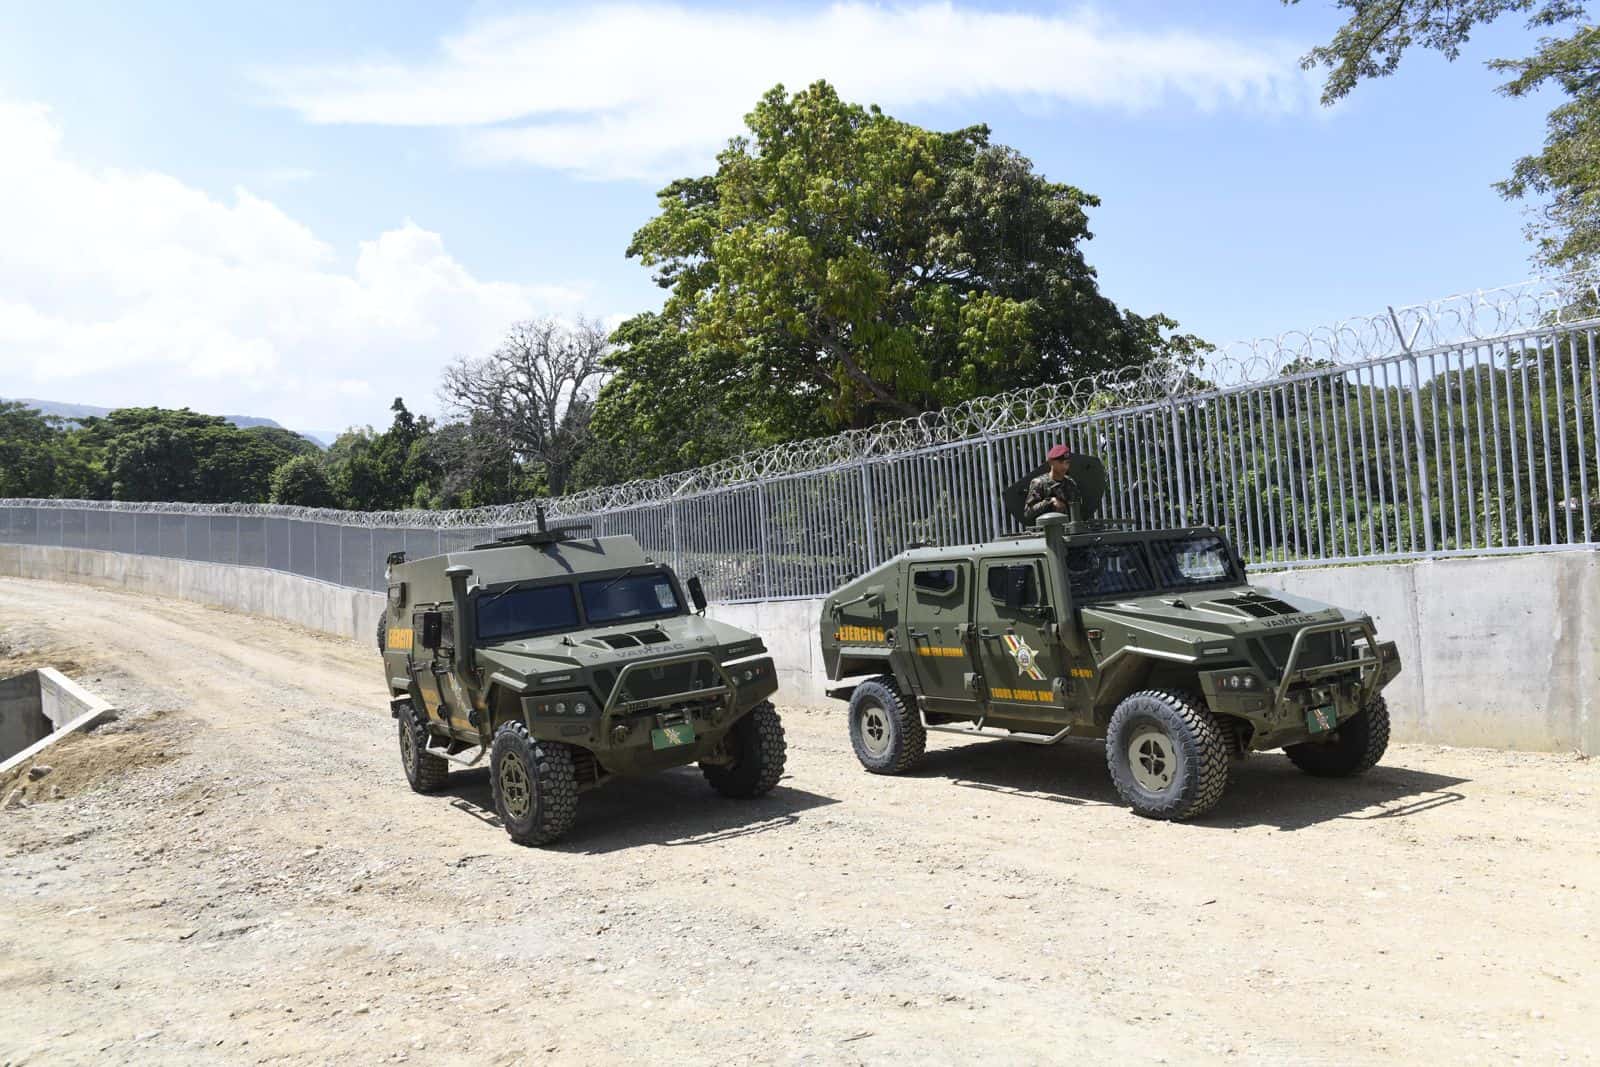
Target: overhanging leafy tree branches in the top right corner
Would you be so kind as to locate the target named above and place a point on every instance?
(1566, 175)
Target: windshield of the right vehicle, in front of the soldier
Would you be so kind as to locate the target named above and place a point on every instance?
(1121, 569)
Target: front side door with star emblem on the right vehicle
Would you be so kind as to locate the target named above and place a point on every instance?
(1018, 652)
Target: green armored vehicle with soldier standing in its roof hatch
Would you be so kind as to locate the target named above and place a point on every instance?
(1082, 628)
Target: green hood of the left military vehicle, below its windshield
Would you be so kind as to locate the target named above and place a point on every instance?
(618, 645)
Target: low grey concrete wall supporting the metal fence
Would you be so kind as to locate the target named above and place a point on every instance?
(1500, 652)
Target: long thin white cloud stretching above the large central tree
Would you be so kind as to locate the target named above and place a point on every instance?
(649, 90)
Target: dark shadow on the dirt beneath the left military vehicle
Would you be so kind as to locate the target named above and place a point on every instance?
(670, 809)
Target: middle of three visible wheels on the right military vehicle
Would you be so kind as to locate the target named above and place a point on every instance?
(1167, 756)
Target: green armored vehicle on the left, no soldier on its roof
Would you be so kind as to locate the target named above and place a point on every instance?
(570, 661)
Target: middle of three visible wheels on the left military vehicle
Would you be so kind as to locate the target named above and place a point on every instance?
(535, 786)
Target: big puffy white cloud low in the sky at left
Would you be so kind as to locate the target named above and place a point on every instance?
(137, 289)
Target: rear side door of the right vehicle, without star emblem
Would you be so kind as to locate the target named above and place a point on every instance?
(938, 633)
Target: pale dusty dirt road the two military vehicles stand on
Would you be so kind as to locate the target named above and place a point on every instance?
(255, 884)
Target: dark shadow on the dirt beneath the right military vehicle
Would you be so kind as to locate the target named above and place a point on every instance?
(1263, 791)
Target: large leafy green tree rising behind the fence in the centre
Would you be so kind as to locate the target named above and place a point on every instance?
(842, 268)
